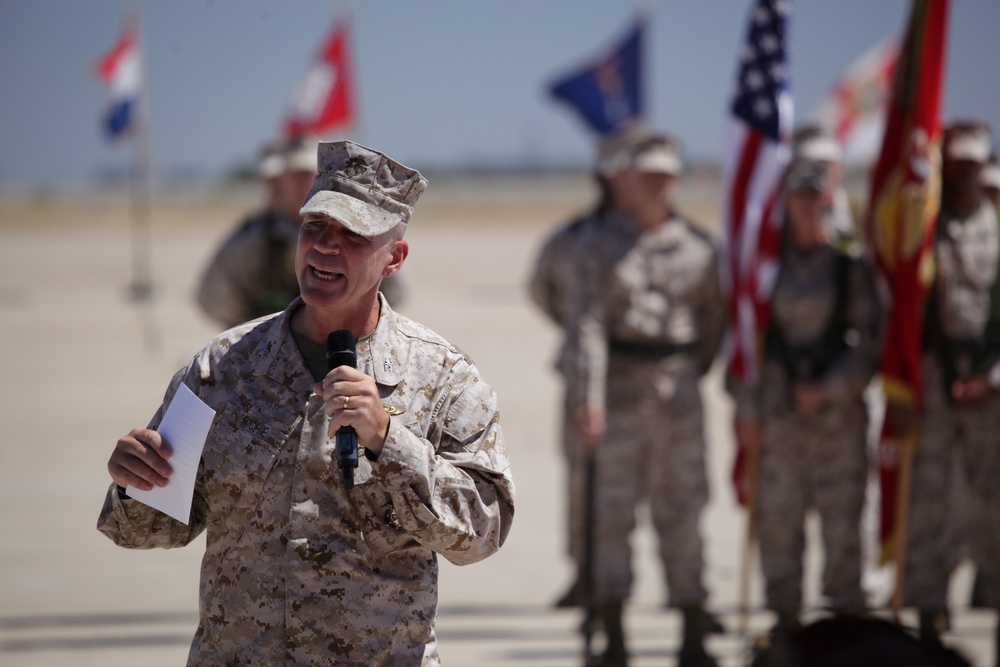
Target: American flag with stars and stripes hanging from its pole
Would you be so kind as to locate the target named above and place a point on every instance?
(757, 148)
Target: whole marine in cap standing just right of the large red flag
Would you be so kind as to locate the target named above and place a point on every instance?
(960, 419)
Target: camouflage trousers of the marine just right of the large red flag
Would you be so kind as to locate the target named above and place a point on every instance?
(954, 502)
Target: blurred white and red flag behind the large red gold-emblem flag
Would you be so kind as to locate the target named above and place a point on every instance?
(854, 109)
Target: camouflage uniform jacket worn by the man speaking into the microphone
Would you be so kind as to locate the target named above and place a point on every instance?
(299, 570)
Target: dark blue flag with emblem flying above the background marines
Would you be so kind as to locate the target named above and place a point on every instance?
(607, 92)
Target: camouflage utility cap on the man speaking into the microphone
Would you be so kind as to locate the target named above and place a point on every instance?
(364, 190)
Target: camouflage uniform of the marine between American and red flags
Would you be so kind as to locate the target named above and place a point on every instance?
(826, 328)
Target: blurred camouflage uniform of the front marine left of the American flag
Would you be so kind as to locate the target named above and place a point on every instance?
(648, 326)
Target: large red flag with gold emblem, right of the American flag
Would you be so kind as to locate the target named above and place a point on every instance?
(901, 219)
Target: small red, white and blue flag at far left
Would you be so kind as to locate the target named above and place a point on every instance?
(121, 71)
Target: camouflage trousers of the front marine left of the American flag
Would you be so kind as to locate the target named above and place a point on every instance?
(653, 450)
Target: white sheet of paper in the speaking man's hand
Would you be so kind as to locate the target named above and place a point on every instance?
(184, 426)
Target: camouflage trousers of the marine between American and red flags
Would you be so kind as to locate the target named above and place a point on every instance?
(816, 462)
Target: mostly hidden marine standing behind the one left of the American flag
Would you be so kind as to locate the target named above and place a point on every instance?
(552, 285)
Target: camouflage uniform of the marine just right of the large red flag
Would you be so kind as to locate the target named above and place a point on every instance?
(957, 443)
